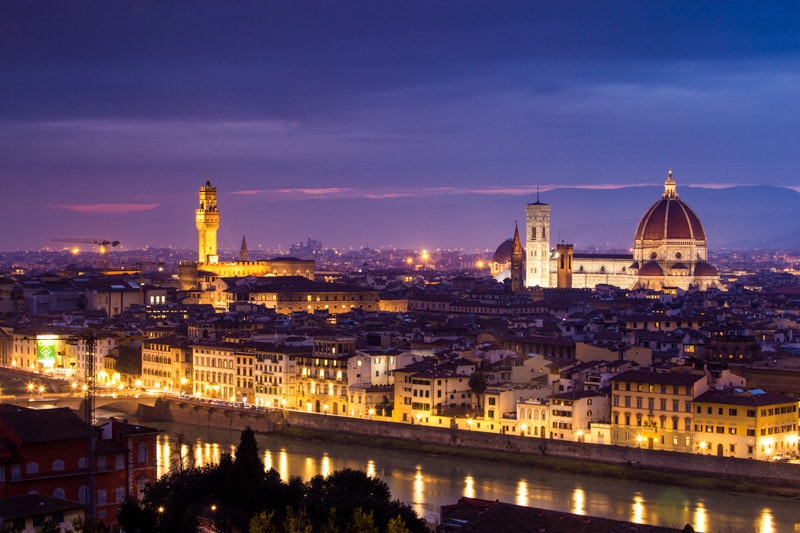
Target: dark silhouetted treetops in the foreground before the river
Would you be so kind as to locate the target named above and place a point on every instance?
(230, 493)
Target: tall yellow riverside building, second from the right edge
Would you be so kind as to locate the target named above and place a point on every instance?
(653, 410)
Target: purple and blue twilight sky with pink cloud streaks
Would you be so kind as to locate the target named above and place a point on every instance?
(330, 119)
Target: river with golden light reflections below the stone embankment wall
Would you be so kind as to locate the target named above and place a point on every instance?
(426, 483)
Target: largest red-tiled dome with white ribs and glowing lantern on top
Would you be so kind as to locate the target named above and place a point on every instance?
(670, 218)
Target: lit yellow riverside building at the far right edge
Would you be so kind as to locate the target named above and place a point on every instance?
(749, 424)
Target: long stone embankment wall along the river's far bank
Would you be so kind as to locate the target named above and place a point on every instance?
(761, 472)
